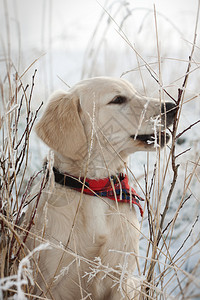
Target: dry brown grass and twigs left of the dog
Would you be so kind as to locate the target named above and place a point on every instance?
(17, 122)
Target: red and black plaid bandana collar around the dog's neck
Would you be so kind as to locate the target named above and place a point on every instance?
(115, 187)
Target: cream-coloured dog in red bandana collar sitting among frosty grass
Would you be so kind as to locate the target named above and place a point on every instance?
(91, 130)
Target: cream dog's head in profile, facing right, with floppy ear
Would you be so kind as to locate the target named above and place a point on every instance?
(104, 113)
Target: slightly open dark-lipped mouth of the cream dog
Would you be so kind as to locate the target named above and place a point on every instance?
(152, 140)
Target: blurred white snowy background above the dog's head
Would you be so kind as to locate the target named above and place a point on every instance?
(77, 39)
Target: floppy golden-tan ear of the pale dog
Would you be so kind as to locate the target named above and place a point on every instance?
(60, 126)
